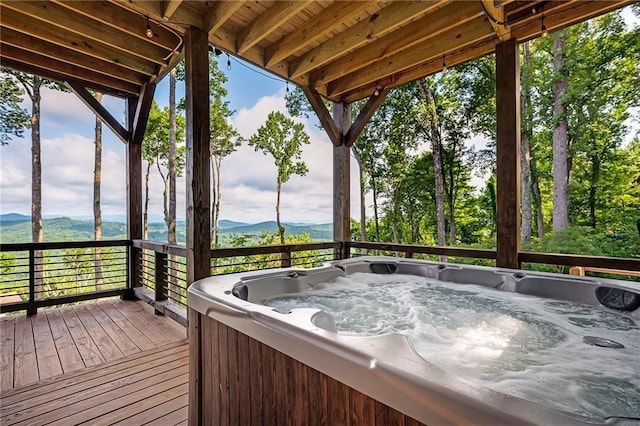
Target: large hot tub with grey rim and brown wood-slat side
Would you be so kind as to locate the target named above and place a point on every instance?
(379, 340)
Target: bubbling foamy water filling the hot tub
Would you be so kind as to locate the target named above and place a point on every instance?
(520, 345)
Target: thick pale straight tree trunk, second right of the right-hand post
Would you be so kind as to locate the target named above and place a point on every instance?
(560, 133)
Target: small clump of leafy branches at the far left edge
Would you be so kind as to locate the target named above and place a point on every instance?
(13, 118)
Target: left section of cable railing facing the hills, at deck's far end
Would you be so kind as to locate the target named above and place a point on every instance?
(47, 274)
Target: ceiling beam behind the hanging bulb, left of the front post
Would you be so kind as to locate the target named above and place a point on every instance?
(124, 20)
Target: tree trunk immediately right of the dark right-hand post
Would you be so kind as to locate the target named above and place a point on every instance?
(525, 159)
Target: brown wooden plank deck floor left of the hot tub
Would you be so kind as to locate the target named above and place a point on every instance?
(102, 363)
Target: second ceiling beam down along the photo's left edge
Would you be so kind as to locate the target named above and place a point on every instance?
(55, 52)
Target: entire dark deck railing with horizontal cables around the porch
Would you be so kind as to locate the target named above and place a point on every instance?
(47, 274)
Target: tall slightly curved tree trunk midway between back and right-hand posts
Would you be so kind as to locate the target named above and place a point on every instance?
(436, 149)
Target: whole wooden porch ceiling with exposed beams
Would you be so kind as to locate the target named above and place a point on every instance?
(342, 50)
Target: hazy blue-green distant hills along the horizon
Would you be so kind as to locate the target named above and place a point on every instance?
(16, 228)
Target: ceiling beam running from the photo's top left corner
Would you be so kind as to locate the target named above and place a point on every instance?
(92, 30)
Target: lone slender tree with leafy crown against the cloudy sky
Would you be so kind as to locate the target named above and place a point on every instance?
(282, 138)
